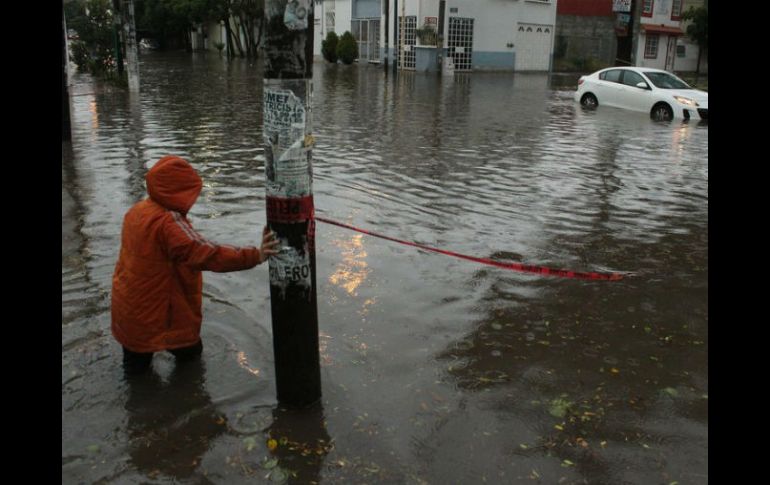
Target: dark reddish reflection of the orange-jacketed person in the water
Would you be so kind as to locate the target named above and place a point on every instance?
(171, 425)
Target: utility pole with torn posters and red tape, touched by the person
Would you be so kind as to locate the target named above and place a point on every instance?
(288, 142)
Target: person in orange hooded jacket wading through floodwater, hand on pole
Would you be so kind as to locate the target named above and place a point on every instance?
(157, 285)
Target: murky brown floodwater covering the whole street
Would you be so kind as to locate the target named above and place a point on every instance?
(434, 369)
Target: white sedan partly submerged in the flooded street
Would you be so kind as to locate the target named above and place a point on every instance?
(654, 91)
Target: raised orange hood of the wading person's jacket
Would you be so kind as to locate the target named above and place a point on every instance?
(174, 184)
